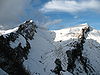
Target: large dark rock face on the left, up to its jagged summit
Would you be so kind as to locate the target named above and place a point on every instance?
(11, 59)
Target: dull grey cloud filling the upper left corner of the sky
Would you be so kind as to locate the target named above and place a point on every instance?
(10, 10)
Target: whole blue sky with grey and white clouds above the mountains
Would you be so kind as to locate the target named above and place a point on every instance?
(56, 14)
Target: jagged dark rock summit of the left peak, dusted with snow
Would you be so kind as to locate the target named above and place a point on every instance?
(27, 30)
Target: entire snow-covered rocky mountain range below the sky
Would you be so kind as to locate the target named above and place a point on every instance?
(69, 51)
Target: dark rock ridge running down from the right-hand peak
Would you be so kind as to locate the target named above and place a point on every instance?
(75, 55)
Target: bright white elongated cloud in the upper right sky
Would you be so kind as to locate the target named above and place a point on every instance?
(71, 6)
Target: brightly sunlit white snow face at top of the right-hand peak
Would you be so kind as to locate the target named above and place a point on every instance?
(72, 32)
